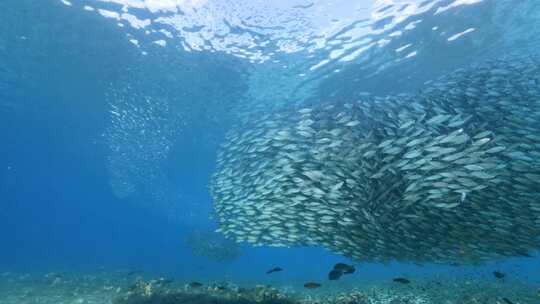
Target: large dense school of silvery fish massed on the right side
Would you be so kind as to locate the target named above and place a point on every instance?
(448, 175)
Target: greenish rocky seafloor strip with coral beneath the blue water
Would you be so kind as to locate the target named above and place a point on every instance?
(129, 288)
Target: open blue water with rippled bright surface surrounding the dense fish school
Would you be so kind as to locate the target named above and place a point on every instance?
(112, 112)
